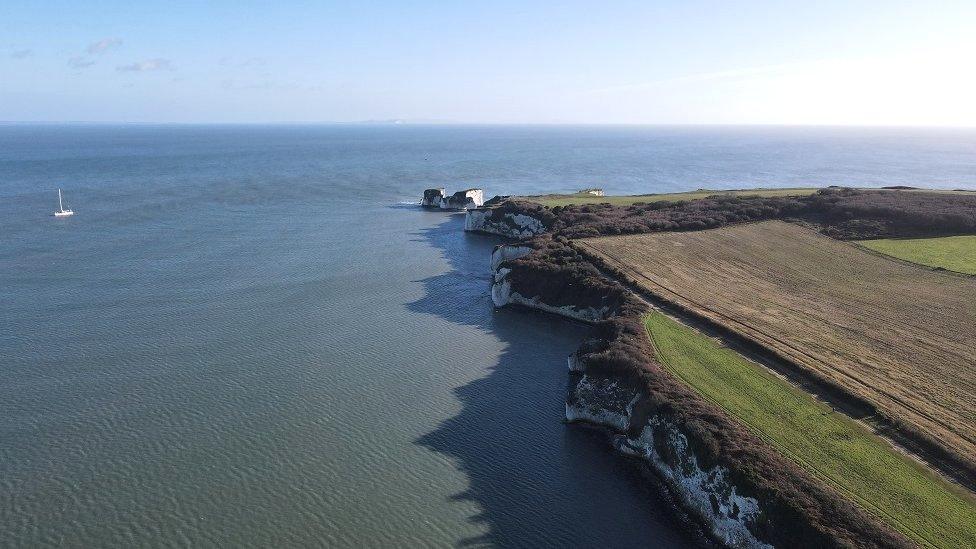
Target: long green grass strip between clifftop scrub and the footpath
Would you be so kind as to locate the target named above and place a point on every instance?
(828, 444)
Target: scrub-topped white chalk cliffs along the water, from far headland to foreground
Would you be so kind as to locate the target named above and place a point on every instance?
(746, 494)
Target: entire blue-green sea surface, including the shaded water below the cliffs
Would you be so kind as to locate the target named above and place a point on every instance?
(251, 336)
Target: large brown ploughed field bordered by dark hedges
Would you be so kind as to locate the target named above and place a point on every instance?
(897, 335)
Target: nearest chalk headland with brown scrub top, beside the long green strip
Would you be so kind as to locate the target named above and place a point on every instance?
(744, 491)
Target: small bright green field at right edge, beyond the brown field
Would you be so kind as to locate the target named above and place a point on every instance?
(954, 253)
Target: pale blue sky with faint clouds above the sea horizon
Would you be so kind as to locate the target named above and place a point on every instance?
(829, 62)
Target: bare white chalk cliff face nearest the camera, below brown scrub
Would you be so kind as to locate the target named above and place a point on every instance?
(609, 402)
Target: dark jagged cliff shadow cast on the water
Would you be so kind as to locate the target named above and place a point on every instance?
(537, 481)
